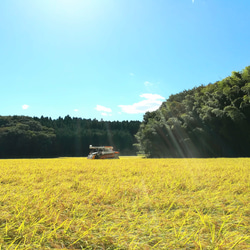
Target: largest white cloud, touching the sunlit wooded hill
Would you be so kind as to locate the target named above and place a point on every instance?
(152, 103)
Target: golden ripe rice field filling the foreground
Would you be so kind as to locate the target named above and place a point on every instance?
(131, 203)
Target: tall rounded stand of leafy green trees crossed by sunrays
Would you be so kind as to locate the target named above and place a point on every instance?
(206, 121)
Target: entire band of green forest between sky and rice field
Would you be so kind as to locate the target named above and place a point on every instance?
(206, 121)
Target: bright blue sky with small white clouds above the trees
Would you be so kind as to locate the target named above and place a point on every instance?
(115, 59)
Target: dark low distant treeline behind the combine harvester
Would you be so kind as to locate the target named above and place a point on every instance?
(22, 136)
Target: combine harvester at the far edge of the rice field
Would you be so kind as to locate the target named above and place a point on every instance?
(102, 152)
